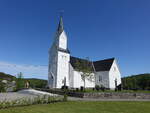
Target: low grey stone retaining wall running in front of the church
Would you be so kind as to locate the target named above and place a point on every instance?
(103, 95)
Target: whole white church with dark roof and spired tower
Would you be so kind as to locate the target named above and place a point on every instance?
(62, 66)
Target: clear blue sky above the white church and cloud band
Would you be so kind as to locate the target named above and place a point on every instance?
(97, 29)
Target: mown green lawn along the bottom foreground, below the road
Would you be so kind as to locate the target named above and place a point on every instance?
(83, 107)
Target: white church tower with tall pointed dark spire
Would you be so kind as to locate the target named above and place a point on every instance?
(59, 58)
